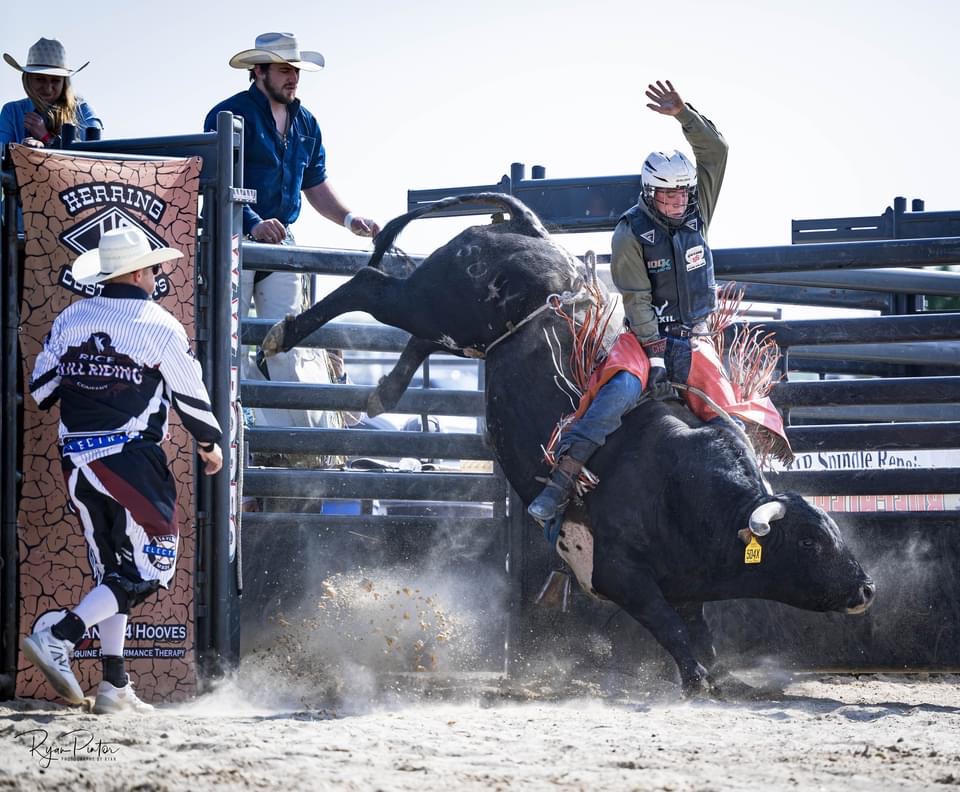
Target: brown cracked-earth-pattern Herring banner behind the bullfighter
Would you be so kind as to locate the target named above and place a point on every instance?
(68, 202)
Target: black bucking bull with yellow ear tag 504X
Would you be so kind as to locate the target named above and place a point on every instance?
(676, 498)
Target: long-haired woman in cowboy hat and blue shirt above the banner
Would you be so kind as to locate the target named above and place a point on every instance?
(38, 120)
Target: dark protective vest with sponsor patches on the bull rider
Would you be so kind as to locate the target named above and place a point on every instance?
(680, 266)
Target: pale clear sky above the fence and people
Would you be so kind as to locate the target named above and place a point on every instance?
(830, 108)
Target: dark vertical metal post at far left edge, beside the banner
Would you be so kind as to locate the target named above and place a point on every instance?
(9, 463)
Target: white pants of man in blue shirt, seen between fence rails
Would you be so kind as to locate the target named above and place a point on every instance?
(275, 296)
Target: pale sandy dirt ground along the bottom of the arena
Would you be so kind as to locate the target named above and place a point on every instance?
(867, 733)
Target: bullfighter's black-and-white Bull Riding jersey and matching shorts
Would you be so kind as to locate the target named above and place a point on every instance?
(117, 362)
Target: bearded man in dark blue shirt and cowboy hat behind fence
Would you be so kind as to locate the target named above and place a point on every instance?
(283, 157)
